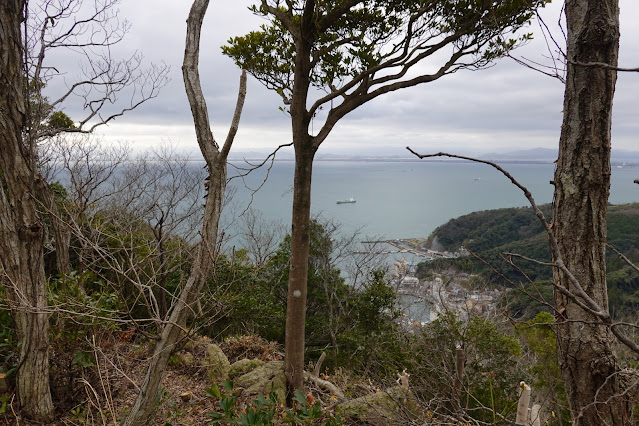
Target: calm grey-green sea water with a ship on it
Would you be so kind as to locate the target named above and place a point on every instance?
(406, 199)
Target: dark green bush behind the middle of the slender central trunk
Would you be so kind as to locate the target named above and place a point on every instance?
(253, 294)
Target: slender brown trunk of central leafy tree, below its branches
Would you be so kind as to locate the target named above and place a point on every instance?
(298, 275)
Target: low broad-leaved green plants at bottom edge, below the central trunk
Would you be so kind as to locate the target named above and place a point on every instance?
(265, 410)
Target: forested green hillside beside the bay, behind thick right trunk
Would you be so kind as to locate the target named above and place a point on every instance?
(490, 233)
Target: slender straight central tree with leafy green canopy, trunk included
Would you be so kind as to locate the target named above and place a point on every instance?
(349, 53)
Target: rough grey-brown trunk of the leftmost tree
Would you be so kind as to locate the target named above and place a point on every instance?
(21, 227)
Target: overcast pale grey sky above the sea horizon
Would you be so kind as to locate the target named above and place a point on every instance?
(505, 107)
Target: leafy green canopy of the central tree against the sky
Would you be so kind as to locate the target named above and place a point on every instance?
(359, 44)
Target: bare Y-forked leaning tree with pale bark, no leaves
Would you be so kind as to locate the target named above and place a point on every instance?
(205, 257)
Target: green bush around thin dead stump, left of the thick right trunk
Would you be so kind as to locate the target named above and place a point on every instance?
(493, 367)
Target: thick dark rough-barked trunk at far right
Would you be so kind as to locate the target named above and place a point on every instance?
(582, 182)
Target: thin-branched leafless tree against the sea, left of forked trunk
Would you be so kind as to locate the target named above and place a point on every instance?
(154, 200)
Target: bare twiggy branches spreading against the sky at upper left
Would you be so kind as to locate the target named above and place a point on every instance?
(86, 32)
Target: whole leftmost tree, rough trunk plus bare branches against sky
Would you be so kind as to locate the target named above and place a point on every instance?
(28, 118)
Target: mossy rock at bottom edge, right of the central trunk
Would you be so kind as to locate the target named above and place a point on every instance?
(393, 406)
